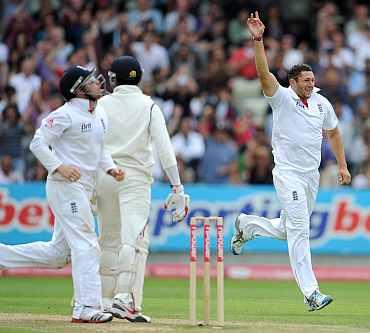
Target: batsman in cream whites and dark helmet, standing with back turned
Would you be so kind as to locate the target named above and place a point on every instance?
(123, 208)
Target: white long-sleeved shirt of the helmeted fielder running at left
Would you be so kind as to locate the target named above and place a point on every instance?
(72, 135)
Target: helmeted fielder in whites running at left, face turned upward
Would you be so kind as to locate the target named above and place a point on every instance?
(70, 144)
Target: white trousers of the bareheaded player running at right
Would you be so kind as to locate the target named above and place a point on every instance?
(297, 195)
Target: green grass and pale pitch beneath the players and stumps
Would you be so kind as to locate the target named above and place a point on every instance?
(42, 305)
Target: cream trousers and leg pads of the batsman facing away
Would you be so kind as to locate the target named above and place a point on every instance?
(123, 209)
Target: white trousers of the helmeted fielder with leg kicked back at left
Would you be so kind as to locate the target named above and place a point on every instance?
(74, 237)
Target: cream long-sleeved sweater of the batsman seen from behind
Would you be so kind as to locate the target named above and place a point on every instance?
(135, 123)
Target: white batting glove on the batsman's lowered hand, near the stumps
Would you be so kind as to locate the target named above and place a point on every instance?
(178, 203)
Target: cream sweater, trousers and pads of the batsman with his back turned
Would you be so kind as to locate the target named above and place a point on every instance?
(135, 123)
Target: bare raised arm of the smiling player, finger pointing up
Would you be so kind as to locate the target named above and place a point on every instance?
(268, 81)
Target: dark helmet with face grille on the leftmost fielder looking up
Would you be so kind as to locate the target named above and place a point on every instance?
(73, 80)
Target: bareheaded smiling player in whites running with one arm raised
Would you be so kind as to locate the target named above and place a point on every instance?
(300, 115)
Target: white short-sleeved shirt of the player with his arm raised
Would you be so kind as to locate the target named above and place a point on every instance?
(297, 129)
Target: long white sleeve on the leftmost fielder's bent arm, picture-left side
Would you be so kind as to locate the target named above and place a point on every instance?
(51, 129)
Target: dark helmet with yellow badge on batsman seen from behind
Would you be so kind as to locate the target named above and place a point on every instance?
(125, 70)
